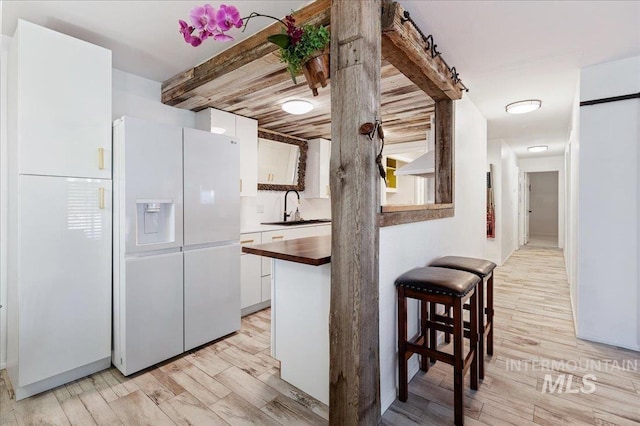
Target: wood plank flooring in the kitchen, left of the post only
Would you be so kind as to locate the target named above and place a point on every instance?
(230, 382)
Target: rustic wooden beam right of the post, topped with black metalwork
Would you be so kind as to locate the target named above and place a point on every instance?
(404, 47)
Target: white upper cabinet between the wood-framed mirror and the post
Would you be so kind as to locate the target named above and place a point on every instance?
(317, 179)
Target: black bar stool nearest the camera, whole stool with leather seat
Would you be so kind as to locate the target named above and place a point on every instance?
(451, 288)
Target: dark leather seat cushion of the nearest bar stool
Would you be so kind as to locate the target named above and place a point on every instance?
(429, 279)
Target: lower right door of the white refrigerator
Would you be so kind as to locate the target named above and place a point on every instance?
(211, 294)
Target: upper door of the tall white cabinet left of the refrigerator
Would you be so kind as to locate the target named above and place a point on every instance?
(63, 87)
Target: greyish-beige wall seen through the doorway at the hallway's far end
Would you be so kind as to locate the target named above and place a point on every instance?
(543, 200)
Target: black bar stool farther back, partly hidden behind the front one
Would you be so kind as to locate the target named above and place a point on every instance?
(484, 270)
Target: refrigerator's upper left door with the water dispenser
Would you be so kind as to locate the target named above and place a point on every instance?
(152, 174)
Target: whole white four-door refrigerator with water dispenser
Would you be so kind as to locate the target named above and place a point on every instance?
(176, 241)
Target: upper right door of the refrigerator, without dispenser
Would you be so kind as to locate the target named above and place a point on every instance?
(211, 188)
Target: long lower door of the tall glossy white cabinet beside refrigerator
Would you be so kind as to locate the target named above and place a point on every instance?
(64, 272)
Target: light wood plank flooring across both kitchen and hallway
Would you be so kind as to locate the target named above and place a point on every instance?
(235, 381)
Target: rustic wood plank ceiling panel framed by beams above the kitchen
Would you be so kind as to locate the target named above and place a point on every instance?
(260, 91)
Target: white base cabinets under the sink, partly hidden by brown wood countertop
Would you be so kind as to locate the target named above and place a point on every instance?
(255, 271)
